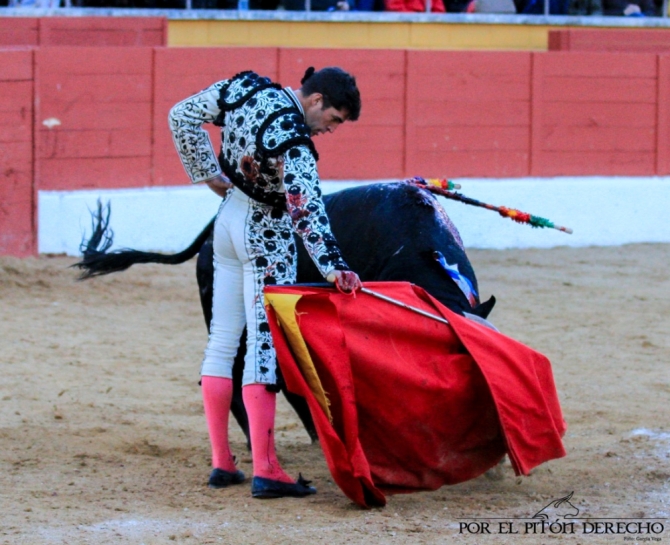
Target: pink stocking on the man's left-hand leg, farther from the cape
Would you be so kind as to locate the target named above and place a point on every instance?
(217, 394)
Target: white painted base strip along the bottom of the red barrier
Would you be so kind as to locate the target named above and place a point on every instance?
(602, 211)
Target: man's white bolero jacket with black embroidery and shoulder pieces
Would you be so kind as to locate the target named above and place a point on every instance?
(266, 151)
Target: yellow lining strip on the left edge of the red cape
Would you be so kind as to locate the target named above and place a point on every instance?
(284, 307)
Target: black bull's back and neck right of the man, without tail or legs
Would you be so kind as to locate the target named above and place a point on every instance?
(389, 232)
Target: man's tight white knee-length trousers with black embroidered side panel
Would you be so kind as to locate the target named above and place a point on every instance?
(253, 247)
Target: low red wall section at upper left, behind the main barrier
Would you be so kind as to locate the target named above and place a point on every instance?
(83, 31)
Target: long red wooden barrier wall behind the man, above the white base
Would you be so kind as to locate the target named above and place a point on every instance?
(100, 116)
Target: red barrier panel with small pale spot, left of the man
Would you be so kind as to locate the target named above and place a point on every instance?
(99, 101)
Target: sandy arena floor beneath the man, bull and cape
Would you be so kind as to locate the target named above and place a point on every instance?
(104, 442)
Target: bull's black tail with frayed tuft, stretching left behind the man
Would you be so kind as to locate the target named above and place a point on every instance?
(97, 262)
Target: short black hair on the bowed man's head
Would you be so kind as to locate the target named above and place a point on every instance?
(338, 88)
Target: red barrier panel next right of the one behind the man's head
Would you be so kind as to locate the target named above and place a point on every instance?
(468, 114)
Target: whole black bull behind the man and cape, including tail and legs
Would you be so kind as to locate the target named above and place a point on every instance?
(386, 231)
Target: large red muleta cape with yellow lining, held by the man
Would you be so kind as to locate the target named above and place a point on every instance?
(404, 403)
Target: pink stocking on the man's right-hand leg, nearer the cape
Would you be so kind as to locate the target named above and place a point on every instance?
(261, 406)
